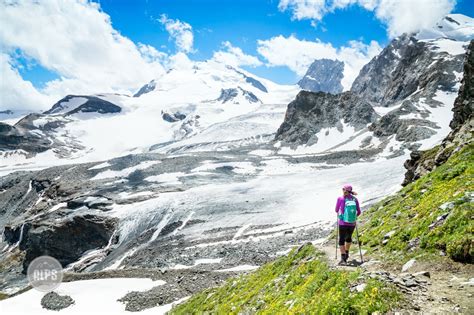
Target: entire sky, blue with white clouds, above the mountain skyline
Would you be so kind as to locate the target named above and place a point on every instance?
(53, 47)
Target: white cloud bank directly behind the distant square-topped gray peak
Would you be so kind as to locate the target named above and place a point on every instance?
(298, 55)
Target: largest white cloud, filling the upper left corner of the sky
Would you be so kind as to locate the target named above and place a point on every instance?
(76, 40)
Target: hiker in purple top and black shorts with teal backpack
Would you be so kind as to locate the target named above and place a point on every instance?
(347, 208)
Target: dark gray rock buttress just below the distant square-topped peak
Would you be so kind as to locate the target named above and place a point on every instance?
(310, 112)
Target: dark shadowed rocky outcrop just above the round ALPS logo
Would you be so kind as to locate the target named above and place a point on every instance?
(66, 240)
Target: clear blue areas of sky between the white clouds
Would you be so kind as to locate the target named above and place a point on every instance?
(241, 22)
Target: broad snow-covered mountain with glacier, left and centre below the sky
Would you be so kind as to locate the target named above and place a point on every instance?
(82, 128)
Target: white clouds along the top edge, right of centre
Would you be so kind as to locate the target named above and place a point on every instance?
(400, 16)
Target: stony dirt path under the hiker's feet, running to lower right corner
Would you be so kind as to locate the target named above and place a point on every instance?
(430, 289)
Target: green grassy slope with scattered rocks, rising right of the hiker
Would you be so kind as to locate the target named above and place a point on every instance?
(415, 214)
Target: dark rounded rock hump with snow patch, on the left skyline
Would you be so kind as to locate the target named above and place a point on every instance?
(93, 104)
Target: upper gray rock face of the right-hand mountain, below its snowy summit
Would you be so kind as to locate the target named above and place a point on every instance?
(403, 67)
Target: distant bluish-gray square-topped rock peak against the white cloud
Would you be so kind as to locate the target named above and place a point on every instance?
(324, 75)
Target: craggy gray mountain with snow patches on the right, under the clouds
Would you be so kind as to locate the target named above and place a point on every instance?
(411, 85)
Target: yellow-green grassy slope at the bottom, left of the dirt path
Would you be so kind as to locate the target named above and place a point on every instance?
(300, 283)
